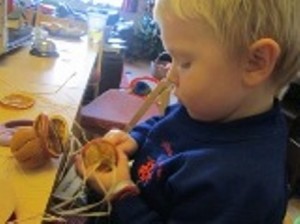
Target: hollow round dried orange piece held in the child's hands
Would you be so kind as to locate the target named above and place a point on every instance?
(99, 152)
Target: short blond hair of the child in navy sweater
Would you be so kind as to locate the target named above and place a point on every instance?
(239, 23)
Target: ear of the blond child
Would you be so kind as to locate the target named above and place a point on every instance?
(261, 60)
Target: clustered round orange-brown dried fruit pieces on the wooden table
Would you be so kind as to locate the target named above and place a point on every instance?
(33, 146)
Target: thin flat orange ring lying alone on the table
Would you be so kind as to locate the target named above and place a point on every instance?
(17, 101)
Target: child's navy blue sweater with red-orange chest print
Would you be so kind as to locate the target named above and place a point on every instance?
(202, 172)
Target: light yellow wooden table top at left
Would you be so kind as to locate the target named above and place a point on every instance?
(57, 84)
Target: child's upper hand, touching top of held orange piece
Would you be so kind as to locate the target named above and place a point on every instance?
(122, 141)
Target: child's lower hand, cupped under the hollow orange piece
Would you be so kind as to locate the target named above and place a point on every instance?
(114, 181)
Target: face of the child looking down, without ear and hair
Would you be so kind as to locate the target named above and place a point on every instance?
(208, 82)
